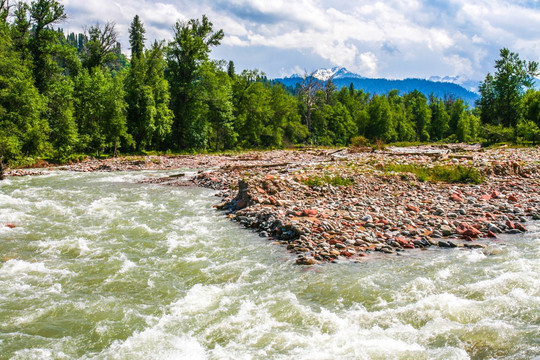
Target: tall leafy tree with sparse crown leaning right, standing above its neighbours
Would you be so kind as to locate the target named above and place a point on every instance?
(188, 50)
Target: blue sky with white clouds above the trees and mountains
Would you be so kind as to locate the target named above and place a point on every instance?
(392, 39)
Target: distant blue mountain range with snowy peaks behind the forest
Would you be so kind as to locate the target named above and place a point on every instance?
(441, 87)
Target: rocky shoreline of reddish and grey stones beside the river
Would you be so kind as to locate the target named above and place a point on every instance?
(374, 212)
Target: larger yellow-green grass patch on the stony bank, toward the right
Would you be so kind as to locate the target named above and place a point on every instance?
(439, 173)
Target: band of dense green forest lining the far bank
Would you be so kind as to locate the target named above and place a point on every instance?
(62, 95)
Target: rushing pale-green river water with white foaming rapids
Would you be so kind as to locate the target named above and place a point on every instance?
(101, 267)
